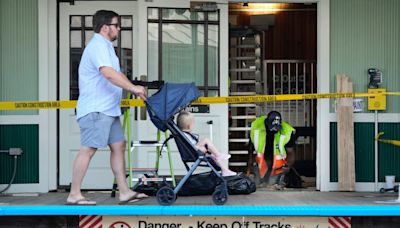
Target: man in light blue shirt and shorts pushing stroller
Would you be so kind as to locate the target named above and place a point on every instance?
(98, 109)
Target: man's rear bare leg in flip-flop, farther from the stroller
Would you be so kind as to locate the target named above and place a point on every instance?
(80, 167)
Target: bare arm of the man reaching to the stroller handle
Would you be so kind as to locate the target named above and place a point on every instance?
(120, 80)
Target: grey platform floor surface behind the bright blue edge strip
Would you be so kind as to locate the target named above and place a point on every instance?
(262, 197)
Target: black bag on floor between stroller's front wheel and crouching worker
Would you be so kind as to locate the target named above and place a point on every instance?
(240, 184)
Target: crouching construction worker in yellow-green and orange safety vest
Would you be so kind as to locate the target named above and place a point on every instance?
(273, 140)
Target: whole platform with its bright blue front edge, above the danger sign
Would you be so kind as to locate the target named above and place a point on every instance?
(366, 209)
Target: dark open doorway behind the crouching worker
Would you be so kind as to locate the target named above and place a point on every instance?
(273, 50)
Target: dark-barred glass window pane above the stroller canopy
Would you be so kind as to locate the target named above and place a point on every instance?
(183, 47)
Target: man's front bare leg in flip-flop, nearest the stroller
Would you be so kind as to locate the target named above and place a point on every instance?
(117, 160)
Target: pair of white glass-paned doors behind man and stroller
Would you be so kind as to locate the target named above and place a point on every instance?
(161, 29)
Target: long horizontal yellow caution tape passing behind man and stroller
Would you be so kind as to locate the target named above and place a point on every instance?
(33, 105)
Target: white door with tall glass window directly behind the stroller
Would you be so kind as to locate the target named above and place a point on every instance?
(177, 34)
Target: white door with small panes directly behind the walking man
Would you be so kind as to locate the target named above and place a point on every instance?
(75, 31)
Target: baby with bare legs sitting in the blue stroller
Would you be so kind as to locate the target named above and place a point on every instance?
(186, 122)
